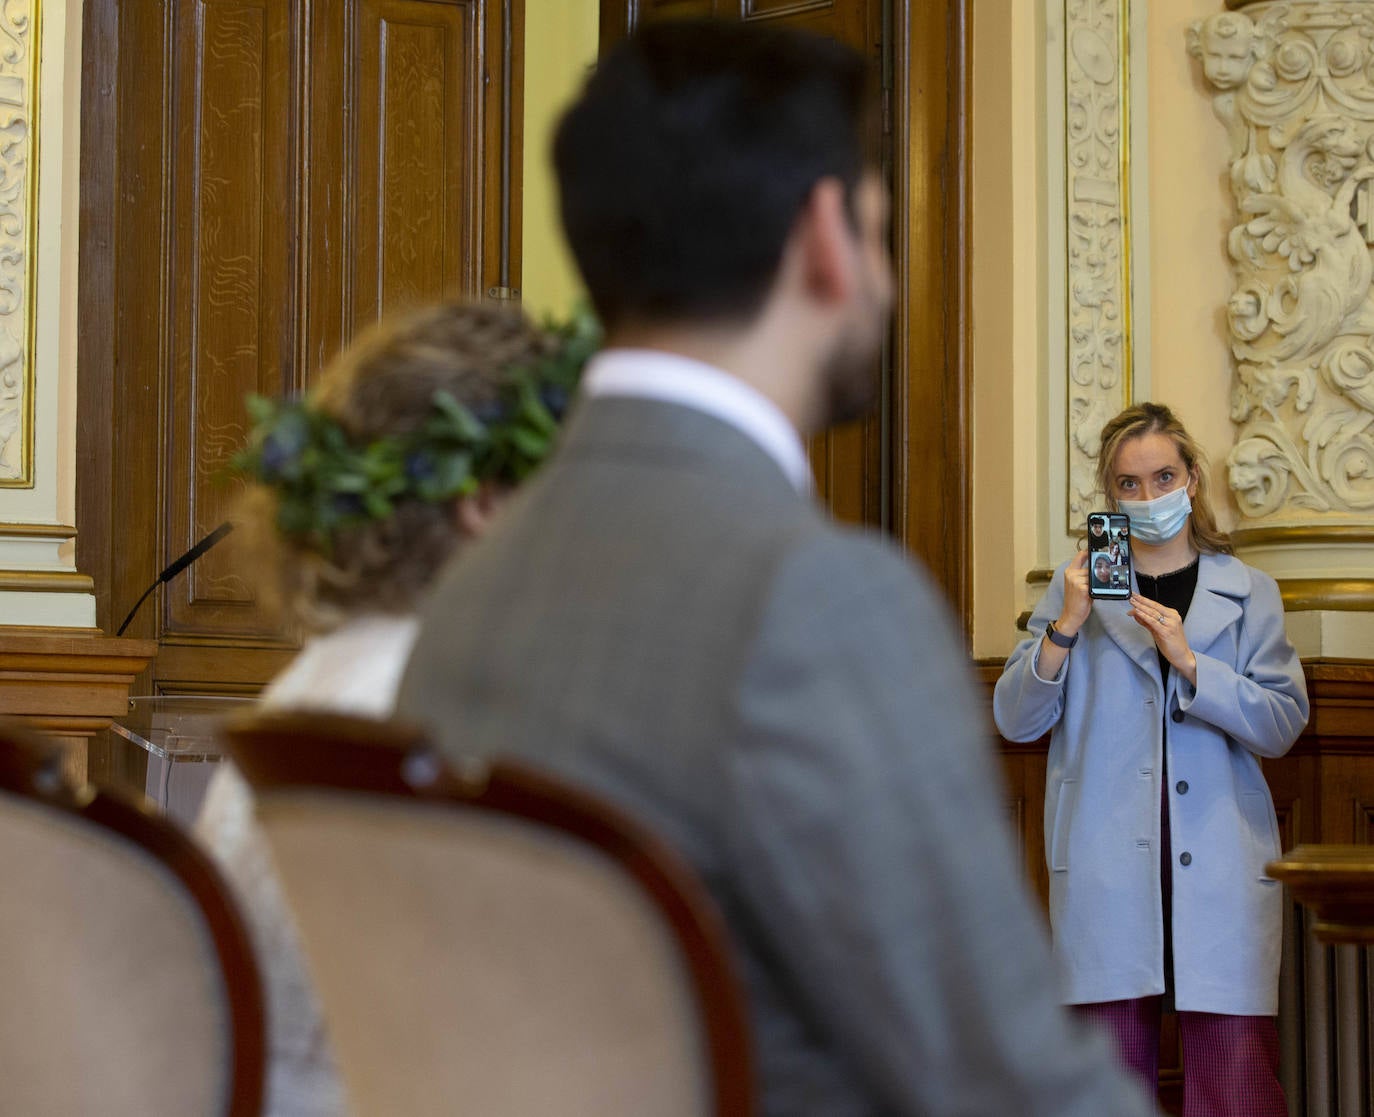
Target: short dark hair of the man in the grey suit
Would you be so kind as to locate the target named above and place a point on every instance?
(692, 150)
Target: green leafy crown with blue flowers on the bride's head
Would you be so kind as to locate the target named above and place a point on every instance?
(325, 482)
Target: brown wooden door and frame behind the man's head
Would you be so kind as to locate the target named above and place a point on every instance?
(906, 471)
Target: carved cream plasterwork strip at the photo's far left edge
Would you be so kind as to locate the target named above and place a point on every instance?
(19, 111)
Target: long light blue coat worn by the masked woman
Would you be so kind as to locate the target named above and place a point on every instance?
(1108, 711)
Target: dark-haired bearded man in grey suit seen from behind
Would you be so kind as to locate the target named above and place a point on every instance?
(664, 615)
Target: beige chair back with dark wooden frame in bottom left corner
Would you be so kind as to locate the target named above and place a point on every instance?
(128, 982)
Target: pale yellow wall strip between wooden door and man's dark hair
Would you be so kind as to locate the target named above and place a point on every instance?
(560, 49)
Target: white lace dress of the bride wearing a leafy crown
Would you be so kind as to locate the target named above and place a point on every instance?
(354, 670)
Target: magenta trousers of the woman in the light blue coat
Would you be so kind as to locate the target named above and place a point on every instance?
(1230, 1064)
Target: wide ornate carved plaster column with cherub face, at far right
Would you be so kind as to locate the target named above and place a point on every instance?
(1294, 83)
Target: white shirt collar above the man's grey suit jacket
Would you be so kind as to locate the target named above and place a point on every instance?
(670, 377)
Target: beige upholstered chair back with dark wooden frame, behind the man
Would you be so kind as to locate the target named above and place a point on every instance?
(491, 940)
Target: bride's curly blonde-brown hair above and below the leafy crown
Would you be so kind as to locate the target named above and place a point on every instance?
(384, 387)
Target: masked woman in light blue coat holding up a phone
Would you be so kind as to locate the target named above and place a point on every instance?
(1158, 820)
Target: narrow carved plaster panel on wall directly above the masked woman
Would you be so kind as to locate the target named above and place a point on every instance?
(1097, 200)
